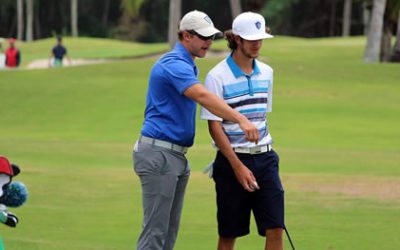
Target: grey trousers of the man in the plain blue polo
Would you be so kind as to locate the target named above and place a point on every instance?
(163, 174)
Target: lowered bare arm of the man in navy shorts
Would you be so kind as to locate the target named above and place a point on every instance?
(243, 174)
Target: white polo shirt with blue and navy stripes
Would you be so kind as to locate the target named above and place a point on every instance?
(251, 95)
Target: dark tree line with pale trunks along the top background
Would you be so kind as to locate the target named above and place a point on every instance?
(156, 20)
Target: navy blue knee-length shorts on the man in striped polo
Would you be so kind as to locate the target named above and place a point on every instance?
(235, 204)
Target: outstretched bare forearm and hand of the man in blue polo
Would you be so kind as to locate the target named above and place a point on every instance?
(218, 107)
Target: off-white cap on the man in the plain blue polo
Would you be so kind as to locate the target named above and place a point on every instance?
(199, 22)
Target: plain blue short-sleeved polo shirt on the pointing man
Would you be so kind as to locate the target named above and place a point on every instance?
(169, 114)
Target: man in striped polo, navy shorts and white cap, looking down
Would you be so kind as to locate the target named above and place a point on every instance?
(245, 84)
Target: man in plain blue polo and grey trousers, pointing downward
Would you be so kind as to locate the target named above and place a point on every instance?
(169, 128)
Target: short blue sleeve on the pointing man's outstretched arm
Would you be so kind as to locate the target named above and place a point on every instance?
(181, 75)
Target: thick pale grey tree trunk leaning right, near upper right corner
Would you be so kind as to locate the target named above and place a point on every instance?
(373, 48)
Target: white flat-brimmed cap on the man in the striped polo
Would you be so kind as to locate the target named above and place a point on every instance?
(250, 26)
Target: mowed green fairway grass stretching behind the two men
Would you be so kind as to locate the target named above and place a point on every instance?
(335, 124)
